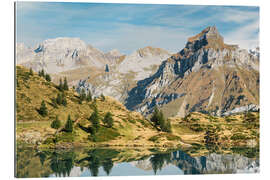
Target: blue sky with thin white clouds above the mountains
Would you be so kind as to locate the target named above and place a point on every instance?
(127, 27)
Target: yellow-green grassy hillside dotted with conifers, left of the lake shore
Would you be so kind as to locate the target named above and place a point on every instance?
(129, 129)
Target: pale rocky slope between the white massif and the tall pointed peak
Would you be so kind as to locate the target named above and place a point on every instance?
(123, 76)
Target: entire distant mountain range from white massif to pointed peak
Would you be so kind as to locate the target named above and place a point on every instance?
(207, 75)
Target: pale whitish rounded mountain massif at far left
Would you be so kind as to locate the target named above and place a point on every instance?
(63, 54)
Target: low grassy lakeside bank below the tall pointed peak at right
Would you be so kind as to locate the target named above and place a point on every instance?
(232, 131)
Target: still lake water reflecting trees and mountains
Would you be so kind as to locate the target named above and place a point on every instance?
(128, 162)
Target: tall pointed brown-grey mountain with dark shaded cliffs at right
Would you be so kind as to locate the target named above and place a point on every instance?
(207, 75)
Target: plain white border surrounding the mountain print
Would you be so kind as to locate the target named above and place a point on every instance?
(7, 86)
